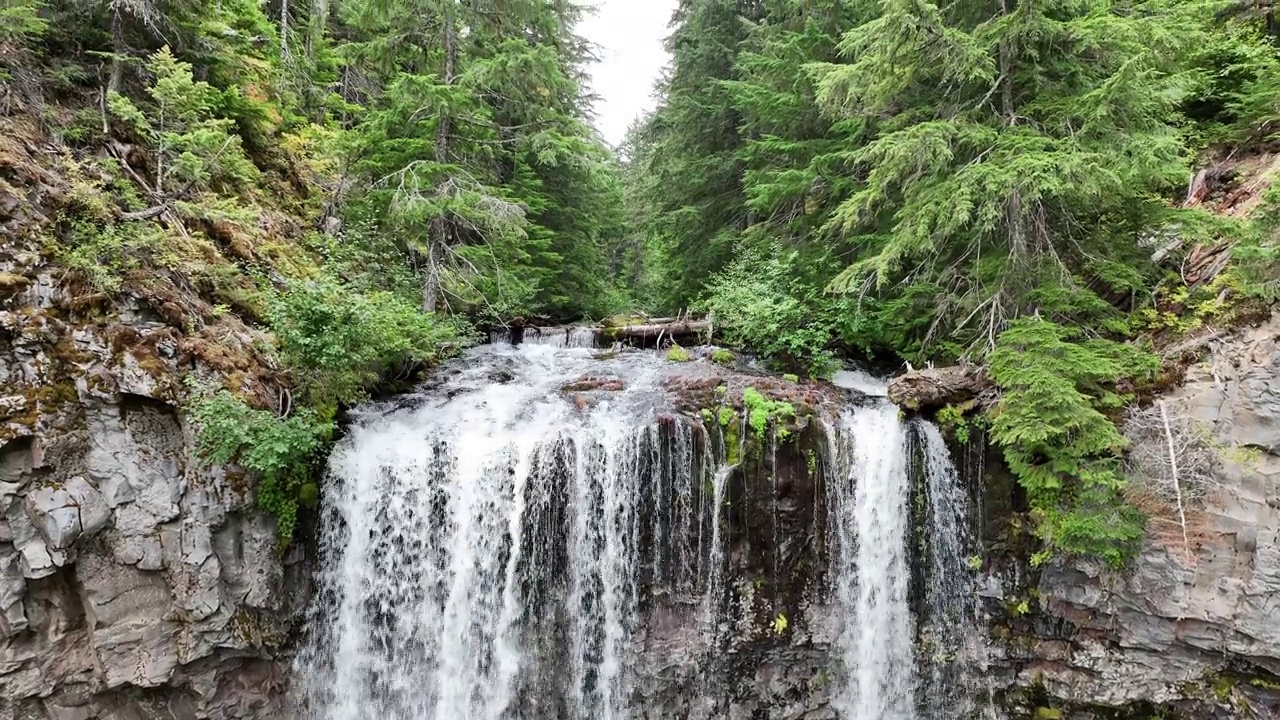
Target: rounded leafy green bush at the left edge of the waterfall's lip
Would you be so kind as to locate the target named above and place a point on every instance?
(340, 343)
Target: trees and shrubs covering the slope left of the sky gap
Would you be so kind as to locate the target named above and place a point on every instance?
(332, 194)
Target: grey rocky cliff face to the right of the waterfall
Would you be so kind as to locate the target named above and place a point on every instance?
(1192, 631)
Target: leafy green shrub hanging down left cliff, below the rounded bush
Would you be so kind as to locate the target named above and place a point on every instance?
(280, 452)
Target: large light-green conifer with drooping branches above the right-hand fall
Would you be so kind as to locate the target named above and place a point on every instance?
(1017, 153)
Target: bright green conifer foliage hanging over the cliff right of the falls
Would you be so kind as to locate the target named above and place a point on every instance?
(1057, 438)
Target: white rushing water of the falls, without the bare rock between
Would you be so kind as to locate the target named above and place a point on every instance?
(490, 546)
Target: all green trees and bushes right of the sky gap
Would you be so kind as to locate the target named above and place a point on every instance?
(995, 183)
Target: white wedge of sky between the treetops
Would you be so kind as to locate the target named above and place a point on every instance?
(629, 35)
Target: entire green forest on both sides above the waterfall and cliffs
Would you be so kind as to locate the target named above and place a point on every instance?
(1067, 194)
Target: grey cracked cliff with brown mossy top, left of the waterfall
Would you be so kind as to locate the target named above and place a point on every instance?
(134, 584)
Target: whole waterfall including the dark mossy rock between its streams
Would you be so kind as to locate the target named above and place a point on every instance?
(541, 534)
